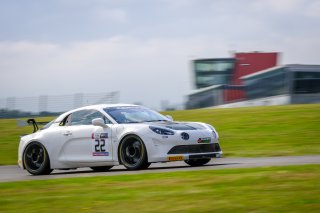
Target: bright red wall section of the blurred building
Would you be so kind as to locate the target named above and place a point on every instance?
(245, 64)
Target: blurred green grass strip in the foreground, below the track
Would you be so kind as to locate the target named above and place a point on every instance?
(269, 189)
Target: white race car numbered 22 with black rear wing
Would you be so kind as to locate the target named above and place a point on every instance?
(102, 136)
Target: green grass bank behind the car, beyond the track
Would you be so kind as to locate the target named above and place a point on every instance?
(252, 131)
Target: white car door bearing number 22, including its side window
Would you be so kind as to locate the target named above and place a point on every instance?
(83, 142)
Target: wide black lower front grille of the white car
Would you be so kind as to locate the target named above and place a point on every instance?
(198, 148)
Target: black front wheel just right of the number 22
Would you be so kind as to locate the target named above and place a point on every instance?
(133, 153)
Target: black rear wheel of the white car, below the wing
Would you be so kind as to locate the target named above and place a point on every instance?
(36, 159)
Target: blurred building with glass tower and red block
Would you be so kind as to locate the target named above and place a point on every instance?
(218, 80)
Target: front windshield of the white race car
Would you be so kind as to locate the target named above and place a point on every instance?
(134, 115)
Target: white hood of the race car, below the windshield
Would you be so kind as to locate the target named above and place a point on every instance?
(179, 125)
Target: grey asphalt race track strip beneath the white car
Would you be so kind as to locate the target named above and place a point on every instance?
(14, 173)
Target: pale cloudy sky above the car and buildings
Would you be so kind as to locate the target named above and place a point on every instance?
(142, 48)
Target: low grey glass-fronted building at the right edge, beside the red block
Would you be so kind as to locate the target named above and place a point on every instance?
(298, 83)
